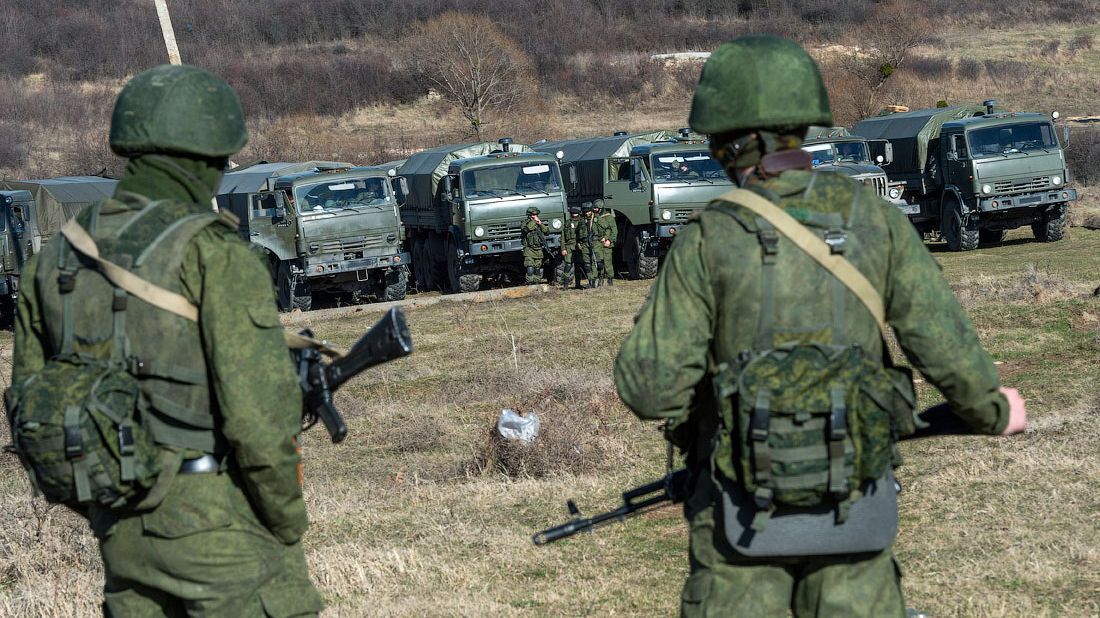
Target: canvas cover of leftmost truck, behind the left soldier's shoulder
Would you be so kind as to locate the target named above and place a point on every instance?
(58, 201)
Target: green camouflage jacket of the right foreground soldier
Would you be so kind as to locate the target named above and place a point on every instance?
(706, 305)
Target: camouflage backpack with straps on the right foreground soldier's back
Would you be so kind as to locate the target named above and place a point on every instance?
(808, 425)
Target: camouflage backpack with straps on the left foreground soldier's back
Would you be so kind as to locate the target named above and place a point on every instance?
(81, 425)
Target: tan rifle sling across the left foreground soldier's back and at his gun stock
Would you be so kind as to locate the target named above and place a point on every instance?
(160, 297)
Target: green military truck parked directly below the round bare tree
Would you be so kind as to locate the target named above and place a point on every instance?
(465, 205)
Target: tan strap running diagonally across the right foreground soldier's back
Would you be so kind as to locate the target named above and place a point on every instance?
(816, 248)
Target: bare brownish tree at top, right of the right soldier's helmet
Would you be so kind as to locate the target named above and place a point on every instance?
(886, 41)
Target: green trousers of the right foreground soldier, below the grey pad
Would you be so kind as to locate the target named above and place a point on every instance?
(724, 583)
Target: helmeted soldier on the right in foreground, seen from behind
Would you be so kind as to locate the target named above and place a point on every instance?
(764, 362)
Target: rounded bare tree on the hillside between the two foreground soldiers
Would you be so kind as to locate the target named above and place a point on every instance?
(472, 64)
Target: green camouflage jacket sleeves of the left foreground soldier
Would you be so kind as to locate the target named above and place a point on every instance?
(257, 401)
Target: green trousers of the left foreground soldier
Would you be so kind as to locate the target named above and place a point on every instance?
(202, 553)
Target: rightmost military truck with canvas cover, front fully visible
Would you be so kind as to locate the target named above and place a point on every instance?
(973, 172)
